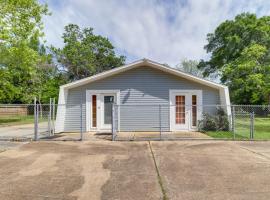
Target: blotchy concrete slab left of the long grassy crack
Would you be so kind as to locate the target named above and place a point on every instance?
(78, 170)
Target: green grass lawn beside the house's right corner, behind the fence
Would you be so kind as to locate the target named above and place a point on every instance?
(242, 129)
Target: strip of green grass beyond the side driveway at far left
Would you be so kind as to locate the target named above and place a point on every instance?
(16, 120)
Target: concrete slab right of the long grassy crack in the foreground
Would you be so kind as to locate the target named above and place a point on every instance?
(213, 170)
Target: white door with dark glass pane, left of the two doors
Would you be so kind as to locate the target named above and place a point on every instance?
(106, 102)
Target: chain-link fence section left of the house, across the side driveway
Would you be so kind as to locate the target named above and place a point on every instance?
(26, 121)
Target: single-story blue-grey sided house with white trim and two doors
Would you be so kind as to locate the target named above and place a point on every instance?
(141, 91)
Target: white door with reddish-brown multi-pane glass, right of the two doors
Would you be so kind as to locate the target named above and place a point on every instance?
(180, 111)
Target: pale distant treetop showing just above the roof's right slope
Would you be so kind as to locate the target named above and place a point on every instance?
(190, 67)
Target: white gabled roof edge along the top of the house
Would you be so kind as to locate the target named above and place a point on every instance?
(142, 62)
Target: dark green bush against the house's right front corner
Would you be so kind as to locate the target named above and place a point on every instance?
(218, 122)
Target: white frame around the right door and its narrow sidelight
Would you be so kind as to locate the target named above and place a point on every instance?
(188, 102)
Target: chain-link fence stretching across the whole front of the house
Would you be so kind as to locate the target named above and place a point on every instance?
(134, 122)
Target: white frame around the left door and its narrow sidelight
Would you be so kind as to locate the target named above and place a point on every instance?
(99, 94)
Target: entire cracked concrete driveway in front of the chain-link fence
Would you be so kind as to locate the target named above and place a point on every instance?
(136, 170)
